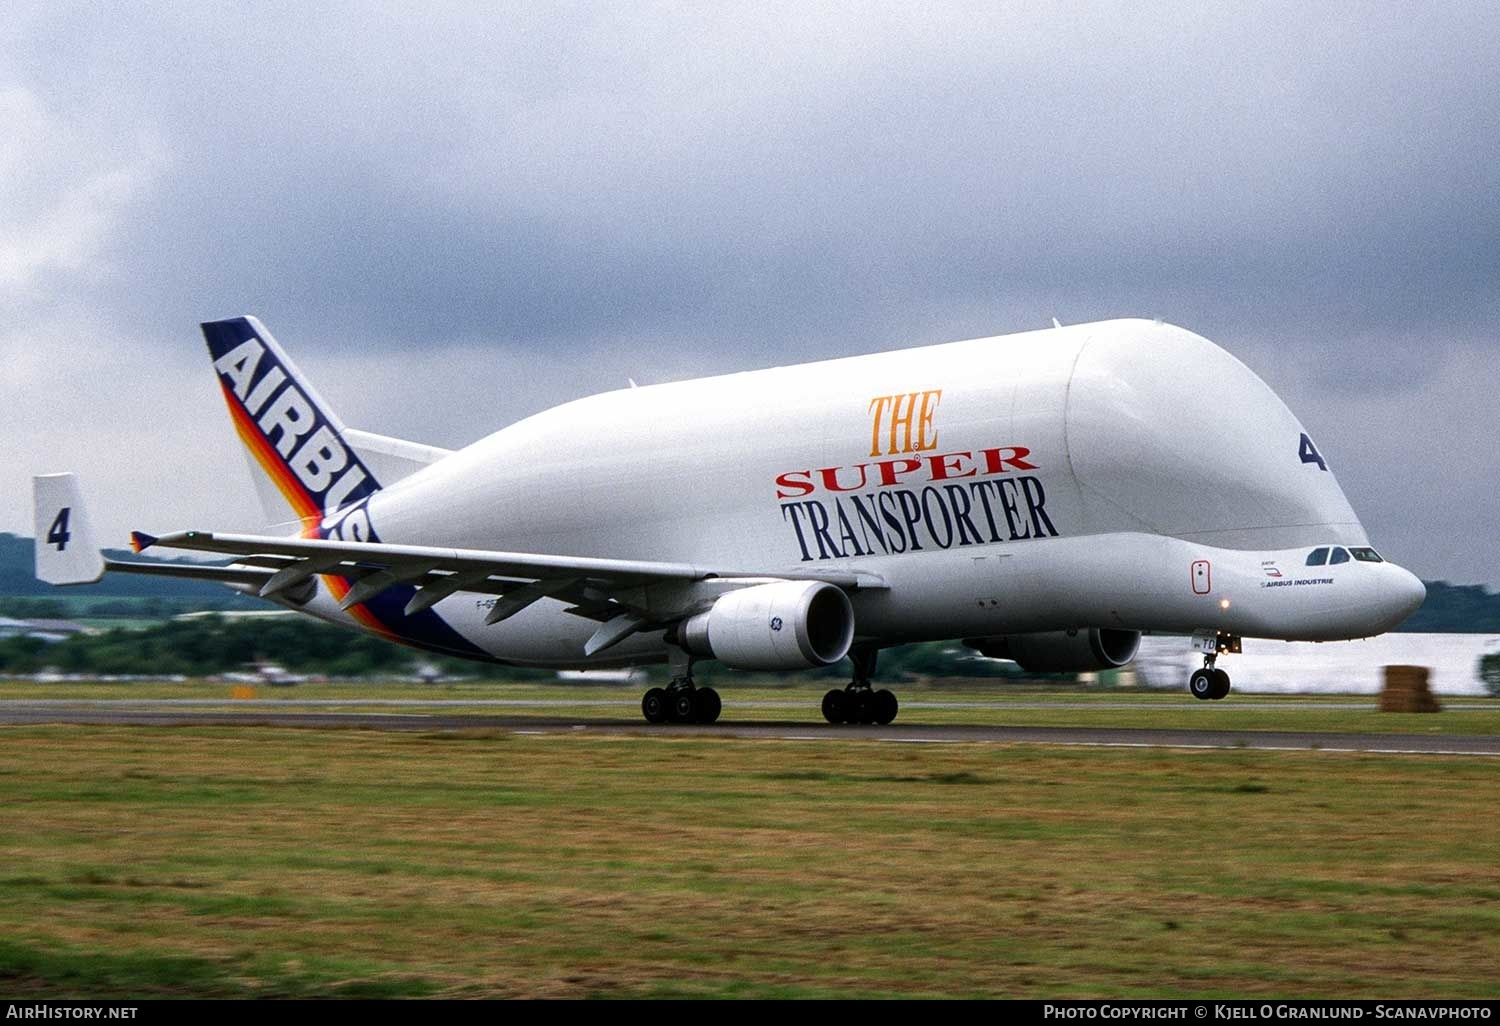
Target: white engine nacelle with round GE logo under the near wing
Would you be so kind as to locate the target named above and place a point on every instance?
(791, 625)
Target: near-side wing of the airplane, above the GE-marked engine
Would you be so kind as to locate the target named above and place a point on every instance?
(625, 596)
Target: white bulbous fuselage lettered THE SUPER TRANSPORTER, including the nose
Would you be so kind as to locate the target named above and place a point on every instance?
(1124, 475)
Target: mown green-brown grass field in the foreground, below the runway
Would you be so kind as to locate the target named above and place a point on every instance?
(217, 862)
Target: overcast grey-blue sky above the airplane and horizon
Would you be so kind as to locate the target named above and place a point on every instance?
(461, 217)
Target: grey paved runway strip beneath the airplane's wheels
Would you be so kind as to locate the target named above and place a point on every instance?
(275, 715)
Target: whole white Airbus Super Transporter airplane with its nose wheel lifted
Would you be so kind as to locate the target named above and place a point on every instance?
(1043, 497)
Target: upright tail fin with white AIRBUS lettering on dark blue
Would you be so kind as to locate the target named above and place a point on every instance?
(301, 460)
